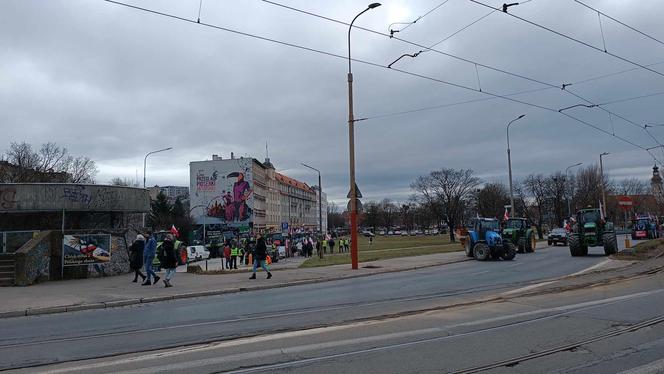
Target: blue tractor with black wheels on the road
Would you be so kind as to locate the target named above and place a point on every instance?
(484, 241)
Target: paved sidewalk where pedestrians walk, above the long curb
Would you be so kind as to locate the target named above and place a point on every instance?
(97, 293)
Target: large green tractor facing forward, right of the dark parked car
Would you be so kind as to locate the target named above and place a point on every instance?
(590, 230)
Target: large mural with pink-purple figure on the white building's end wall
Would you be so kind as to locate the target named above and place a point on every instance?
(222, 192)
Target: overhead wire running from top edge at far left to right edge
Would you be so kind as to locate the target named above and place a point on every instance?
(254, 36)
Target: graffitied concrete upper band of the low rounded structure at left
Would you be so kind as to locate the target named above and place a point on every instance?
(26, 197)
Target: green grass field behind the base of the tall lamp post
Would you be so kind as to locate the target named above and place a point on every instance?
(386, 247)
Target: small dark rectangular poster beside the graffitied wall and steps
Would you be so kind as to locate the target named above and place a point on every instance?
(87, 249)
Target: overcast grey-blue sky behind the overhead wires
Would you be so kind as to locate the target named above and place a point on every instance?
(114, 83)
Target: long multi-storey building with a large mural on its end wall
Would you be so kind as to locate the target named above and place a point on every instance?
(246, 194)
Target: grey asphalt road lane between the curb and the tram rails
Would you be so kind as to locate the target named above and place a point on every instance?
(39, 340)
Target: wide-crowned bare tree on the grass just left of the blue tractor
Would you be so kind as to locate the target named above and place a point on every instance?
(452, 188)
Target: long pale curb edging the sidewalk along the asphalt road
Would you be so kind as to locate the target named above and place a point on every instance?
(189, 295)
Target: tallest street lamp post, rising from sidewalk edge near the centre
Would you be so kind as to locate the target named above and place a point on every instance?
(351, 143)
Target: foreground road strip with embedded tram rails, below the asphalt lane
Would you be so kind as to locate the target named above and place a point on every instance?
(416, 339)
